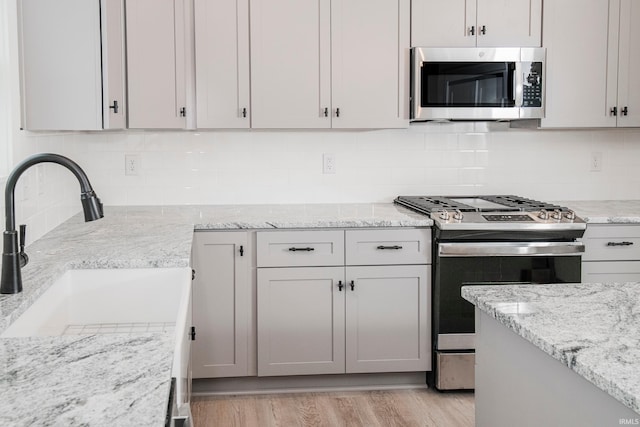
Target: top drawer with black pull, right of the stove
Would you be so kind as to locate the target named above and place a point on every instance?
(611, 243)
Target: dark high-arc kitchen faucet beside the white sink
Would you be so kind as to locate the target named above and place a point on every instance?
(13, 256)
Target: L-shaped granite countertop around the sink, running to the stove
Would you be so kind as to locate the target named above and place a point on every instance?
(96, 380)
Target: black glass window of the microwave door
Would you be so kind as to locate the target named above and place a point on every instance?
(468, 84)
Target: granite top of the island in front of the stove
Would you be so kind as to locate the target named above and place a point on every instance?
(594, 329)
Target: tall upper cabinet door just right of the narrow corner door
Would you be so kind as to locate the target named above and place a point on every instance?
(156, 63)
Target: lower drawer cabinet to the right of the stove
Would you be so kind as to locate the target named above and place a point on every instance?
(612, 253)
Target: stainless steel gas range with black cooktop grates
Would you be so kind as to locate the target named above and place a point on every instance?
(489, 240)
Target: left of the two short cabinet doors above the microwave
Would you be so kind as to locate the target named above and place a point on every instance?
(443, 23)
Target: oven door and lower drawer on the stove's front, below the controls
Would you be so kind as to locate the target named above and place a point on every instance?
(486, 263)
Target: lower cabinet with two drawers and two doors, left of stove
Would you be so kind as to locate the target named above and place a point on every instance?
(347, 318)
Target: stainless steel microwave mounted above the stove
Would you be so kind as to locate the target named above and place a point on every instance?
(477, 83)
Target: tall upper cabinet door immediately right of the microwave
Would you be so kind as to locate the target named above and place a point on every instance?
(581, 65)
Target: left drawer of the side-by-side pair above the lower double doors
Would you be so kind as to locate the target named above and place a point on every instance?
(299, 248)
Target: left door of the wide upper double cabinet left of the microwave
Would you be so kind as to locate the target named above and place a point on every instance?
(290, 64)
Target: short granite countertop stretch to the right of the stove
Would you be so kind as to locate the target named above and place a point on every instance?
(606, 211)
